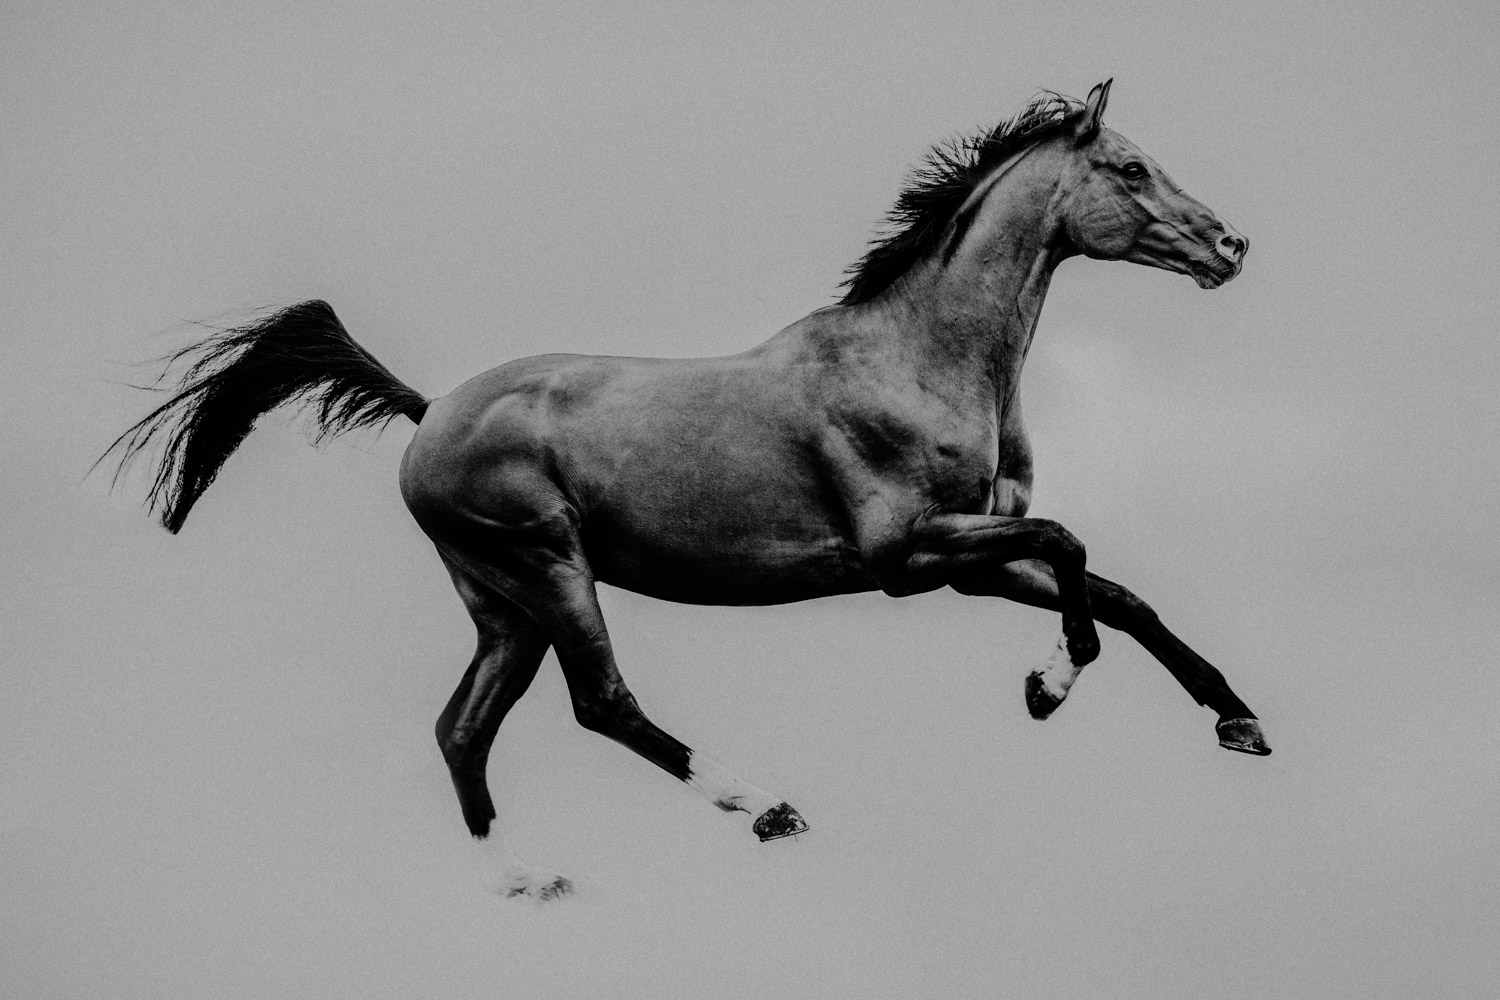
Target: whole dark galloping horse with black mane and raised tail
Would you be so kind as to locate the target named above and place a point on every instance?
(875, 445)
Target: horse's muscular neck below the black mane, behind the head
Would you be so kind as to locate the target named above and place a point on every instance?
(971, 319)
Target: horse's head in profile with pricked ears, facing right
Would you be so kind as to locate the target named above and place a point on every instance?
(1117, 205)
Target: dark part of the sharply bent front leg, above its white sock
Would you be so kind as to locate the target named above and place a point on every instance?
(947, 549)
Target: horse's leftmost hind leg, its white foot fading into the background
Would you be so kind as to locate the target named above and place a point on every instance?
(511, 650)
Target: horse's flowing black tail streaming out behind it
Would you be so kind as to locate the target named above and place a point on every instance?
(301, 353)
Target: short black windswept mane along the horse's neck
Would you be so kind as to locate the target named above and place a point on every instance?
(940, 187)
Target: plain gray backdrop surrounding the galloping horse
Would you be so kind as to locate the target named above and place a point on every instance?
(217, 765)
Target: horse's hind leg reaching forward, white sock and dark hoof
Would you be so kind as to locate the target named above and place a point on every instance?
(557, 587)
